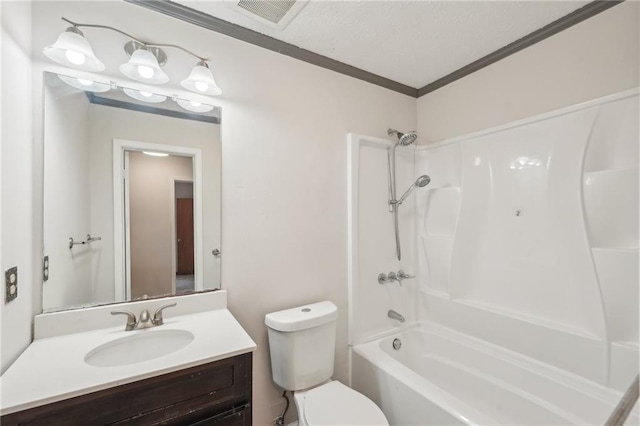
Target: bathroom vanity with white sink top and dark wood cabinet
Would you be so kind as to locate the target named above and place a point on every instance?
(195, 369)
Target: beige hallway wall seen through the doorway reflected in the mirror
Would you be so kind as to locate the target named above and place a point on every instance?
(150, 213)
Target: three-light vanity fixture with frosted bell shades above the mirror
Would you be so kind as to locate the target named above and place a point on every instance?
(145, 62)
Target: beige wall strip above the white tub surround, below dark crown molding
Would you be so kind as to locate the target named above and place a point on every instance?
(594, 58)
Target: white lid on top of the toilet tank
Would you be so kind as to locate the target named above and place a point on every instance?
(302, 317)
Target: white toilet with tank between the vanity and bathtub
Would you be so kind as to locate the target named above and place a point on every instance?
(302, 343)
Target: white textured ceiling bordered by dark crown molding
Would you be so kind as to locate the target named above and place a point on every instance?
(411, 42)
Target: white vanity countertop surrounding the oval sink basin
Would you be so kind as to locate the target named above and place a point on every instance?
(53, 369)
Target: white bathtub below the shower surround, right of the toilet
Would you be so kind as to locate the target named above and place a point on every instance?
(443, 377)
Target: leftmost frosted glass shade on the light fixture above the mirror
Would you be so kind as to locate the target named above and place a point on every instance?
(73, 50)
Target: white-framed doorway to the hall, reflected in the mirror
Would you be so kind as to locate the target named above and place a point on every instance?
(155, 237)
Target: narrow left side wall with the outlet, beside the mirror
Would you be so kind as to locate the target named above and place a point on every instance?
(21, 206)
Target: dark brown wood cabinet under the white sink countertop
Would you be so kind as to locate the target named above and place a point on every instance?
(218, 393)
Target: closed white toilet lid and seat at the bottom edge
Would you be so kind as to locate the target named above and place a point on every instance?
(336, 404)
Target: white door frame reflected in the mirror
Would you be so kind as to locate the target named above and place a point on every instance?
(122, 255)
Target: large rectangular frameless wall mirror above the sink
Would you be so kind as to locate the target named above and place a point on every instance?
(131, 195)
